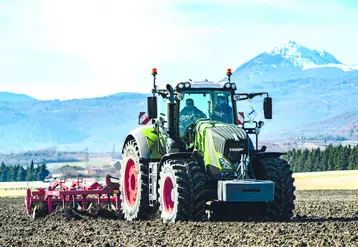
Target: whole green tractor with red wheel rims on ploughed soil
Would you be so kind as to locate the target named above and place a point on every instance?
(196, 162)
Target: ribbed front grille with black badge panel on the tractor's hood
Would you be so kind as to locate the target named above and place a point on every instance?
(230, 141)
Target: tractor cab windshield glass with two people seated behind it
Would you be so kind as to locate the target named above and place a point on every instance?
(195, 105)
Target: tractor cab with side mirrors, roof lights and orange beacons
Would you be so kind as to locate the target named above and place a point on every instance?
(180, 108)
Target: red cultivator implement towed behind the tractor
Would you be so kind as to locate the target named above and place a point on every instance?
(77, 195)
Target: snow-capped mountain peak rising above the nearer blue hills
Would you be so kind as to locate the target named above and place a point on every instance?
(291, 61)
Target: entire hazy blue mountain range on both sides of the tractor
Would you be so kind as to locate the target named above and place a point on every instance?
(314, 95)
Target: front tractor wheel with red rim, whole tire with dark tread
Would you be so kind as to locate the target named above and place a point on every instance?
(181, 194)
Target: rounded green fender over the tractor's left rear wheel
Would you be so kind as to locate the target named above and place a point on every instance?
(146, 140)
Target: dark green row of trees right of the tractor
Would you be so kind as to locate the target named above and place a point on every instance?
(331, 159)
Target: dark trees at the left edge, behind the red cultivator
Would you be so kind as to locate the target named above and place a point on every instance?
(18, 173)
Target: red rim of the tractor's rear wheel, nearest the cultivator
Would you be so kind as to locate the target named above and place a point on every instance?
(130, 183)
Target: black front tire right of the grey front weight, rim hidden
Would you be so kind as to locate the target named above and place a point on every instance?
(278, 171)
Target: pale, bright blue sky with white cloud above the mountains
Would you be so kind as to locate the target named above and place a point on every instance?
(75, 49)
